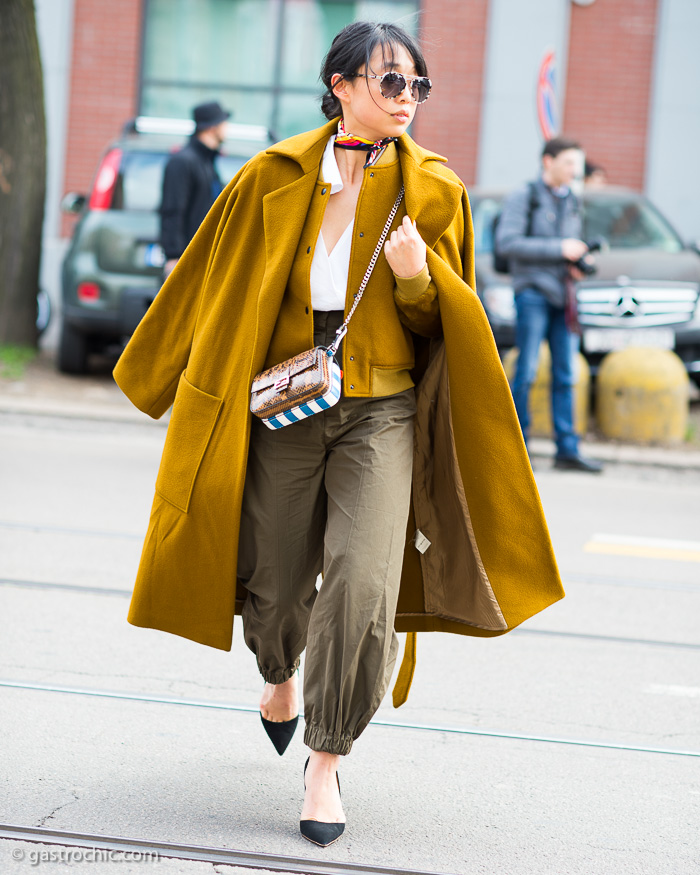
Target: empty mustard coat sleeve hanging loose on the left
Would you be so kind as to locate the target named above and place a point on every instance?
(150, 367)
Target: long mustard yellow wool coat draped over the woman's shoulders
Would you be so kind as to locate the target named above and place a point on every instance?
(489, 565)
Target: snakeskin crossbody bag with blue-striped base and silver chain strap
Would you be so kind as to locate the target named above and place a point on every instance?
(310, 381)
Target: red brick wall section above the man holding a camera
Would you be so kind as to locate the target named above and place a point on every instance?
(611, 47)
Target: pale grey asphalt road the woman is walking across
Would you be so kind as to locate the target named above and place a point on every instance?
(569, 746)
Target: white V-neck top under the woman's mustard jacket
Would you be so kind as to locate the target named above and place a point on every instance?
(329, 272)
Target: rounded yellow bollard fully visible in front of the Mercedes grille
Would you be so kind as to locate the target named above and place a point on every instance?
(643, 396)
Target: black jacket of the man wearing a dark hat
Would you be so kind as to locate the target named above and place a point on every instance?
(190, 187)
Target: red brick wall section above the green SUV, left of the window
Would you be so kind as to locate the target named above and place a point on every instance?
(104, 85)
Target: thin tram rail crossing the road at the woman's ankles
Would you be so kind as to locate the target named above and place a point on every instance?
(393, 724)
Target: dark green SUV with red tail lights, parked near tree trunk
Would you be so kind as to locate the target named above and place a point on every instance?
(112, 270)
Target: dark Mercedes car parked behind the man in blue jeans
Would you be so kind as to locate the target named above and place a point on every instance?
(644, 292)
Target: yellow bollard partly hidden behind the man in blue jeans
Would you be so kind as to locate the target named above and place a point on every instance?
(541, 391)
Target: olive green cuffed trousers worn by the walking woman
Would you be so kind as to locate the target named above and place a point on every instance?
(328, 494)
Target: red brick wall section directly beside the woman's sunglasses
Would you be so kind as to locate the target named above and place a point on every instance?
(453, 38)
